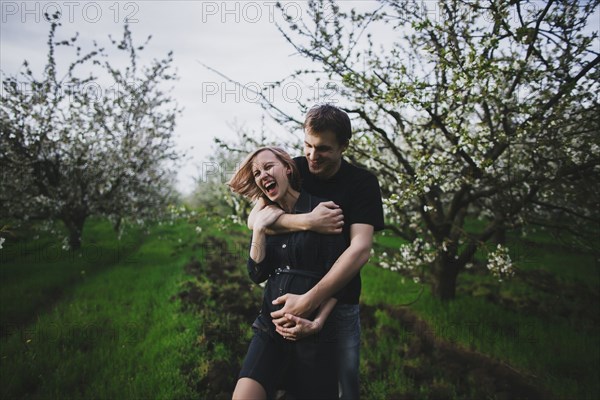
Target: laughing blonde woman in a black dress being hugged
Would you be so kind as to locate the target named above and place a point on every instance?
(291, 263)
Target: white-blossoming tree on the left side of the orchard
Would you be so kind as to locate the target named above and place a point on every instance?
(74, 146)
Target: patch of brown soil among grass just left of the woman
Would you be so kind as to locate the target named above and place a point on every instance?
(220, 293)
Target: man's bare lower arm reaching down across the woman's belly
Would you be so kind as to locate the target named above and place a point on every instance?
(345, 268)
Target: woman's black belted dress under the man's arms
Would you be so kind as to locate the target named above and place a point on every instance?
(294, 263)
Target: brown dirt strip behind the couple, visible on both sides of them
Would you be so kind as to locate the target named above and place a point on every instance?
(221, 293)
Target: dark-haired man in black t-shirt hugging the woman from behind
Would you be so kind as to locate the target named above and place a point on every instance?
(356, 211)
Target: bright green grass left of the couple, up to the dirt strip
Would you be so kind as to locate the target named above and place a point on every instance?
(113, 332)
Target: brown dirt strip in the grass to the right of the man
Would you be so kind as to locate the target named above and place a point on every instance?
(446, 369)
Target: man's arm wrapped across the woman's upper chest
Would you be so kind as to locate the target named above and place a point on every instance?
(325, 218)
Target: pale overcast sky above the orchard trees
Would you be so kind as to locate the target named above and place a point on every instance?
(238, 38)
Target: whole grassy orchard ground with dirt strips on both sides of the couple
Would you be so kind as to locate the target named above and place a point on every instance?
(164, 312)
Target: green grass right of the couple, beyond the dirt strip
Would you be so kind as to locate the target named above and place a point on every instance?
(548, 333)
